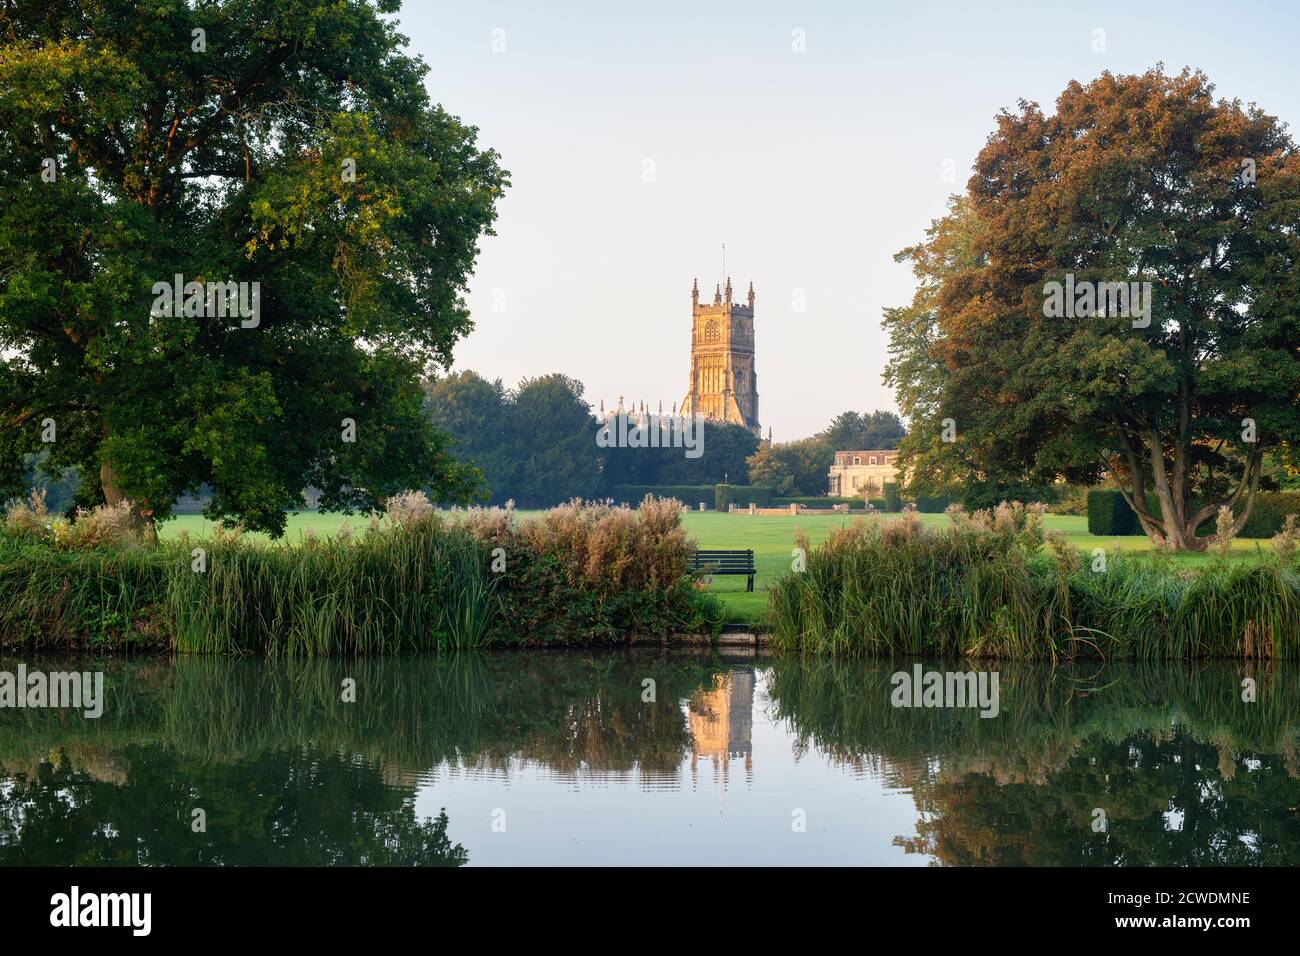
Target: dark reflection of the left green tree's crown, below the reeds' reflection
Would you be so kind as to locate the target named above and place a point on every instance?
(284, 808)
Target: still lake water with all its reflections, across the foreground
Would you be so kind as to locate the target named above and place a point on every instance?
(648, 758)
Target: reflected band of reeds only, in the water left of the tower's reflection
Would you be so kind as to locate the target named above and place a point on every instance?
(411, 713)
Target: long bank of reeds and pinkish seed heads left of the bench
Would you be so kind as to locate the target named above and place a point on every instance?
(417, 579)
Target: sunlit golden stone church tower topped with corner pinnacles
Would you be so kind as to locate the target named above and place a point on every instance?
(723, 384)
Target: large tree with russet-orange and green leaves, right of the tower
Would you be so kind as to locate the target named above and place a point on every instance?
(1177, 393)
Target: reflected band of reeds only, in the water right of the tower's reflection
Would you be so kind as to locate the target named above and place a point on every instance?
(1046, 715)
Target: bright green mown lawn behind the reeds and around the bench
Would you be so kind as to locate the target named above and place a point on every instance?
(770, 537)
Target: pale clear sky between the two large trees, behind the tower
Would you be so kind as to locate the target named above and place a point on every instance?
(813, 167)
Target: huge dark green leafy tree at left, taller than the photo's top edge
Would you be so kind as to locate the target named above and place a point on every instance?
(289, 144)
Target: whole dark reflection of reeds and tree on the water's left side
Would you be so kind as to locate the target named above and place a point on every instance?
(289, 773)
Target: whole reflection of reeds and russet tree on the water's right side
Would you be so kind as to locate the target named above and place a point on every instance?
(1185, 772)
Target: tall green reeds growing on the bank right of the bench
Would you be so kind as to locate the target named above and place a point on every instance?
(969, 591)
